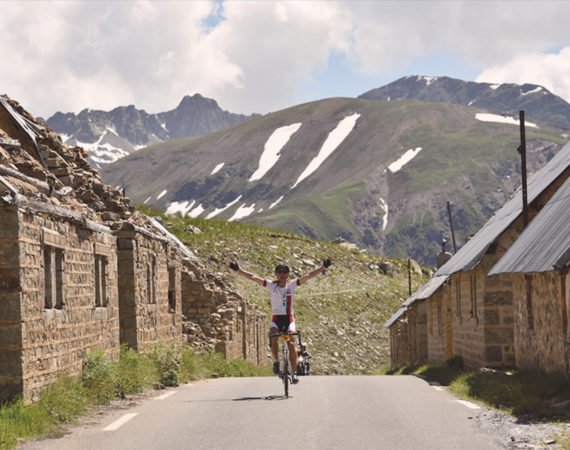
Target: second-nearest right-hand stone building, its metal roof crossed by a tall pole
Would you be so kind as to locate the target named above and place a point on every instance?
(482, 308)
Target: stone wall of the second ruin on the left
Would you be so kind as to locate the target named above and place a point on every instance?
(146, 315)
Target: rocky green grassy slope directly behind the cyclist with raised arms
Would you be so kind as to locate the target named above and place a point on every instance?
(340, 313)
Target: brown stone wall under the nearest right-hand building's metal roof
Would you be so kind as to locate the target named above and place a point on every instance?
(541, 320)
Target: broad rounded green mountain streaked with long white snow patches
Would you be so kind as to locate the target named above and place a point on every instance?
(375, 173)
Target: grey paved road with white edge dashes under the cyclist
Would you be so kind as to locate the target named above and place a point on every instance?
(351, 412)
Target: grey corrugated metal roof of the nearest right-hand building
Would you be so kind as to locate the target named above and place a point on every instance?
(545, 244)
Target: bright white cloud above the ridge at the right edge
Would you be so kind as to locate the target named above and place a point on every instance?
(549, 70)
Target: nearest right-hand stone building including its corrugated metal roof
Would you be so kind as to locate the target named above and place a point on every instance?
(538, 264)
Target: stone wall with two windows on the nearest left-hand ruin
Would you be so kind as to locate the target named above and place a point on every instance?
(61, 313)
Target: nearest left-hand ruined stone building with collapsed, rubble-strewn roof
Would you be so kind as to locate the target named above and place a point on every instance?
(58, 269)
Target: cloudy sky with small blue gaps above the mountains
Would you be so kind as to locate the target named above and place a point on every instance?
(263, 56)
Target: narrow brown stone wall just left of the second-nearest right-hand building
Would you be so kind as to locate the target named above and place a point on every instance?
(437, 307)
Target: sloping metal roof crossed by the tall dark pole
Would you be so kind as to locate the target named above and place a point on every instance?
(473, 251)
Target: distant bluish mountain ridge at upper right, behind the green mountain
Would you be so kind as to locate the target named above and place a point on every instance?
(535, 100)
